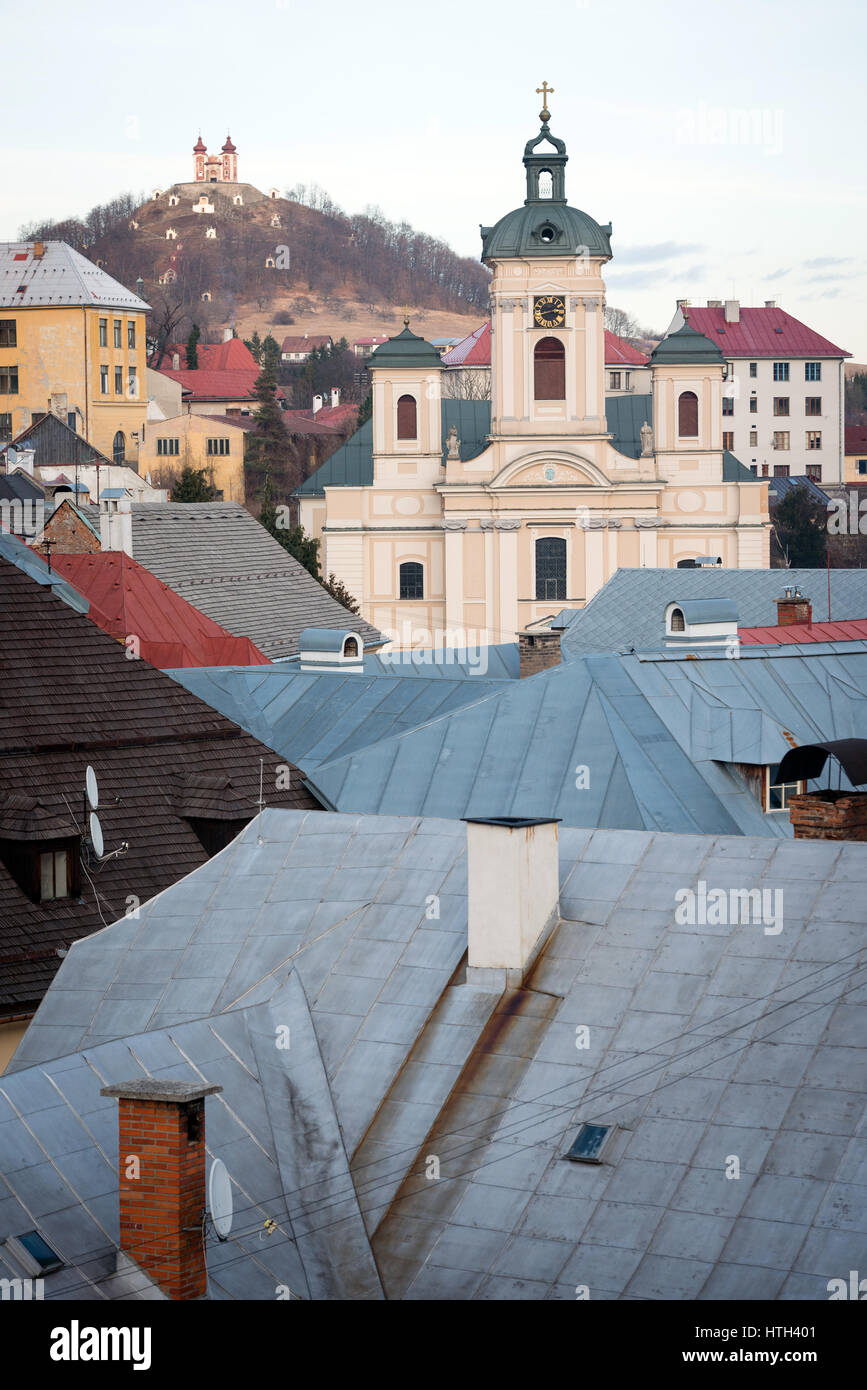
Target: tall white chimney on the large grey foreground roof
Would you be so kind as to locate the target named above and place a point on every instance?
(513, 897)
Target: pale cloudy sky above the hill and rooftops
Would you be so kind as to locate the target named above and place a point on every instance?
(726, 144)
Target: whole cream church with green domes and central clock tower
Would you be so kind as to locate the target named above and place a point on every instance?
(465, 522)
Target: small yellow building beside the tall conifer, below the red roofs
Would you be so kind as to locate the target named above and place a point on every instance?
(188, 441)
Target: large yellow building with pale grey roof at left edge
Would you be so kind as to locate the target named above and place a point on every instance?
(72, 341)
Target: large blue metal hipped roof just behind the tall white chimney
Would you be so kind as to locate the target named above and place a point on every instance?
(658, 740)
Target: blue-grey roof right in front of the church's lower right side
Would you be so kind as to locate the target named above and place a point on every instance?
(630, 610)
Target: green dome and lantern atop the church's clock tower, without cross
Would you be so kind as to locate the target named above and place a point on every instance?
(547, 226)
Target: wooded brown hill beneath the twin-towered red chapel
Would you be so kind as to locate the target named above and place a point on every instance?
(254, 261)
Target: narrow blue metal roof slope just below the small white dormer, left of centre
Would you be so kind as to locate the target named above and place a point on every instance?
(313, 718)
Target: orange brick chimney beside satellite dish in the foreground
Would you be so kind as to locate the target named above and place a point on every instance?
(162, 1181)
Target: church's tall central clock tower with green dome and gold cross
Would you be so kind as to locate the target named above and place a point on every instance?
(547, 306)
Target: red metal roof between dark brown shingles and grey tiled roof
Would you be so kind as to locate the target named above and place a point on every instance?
(127, 600)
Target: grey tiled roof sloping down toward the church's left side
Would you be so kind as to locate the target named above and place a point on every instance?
(222, 561)
